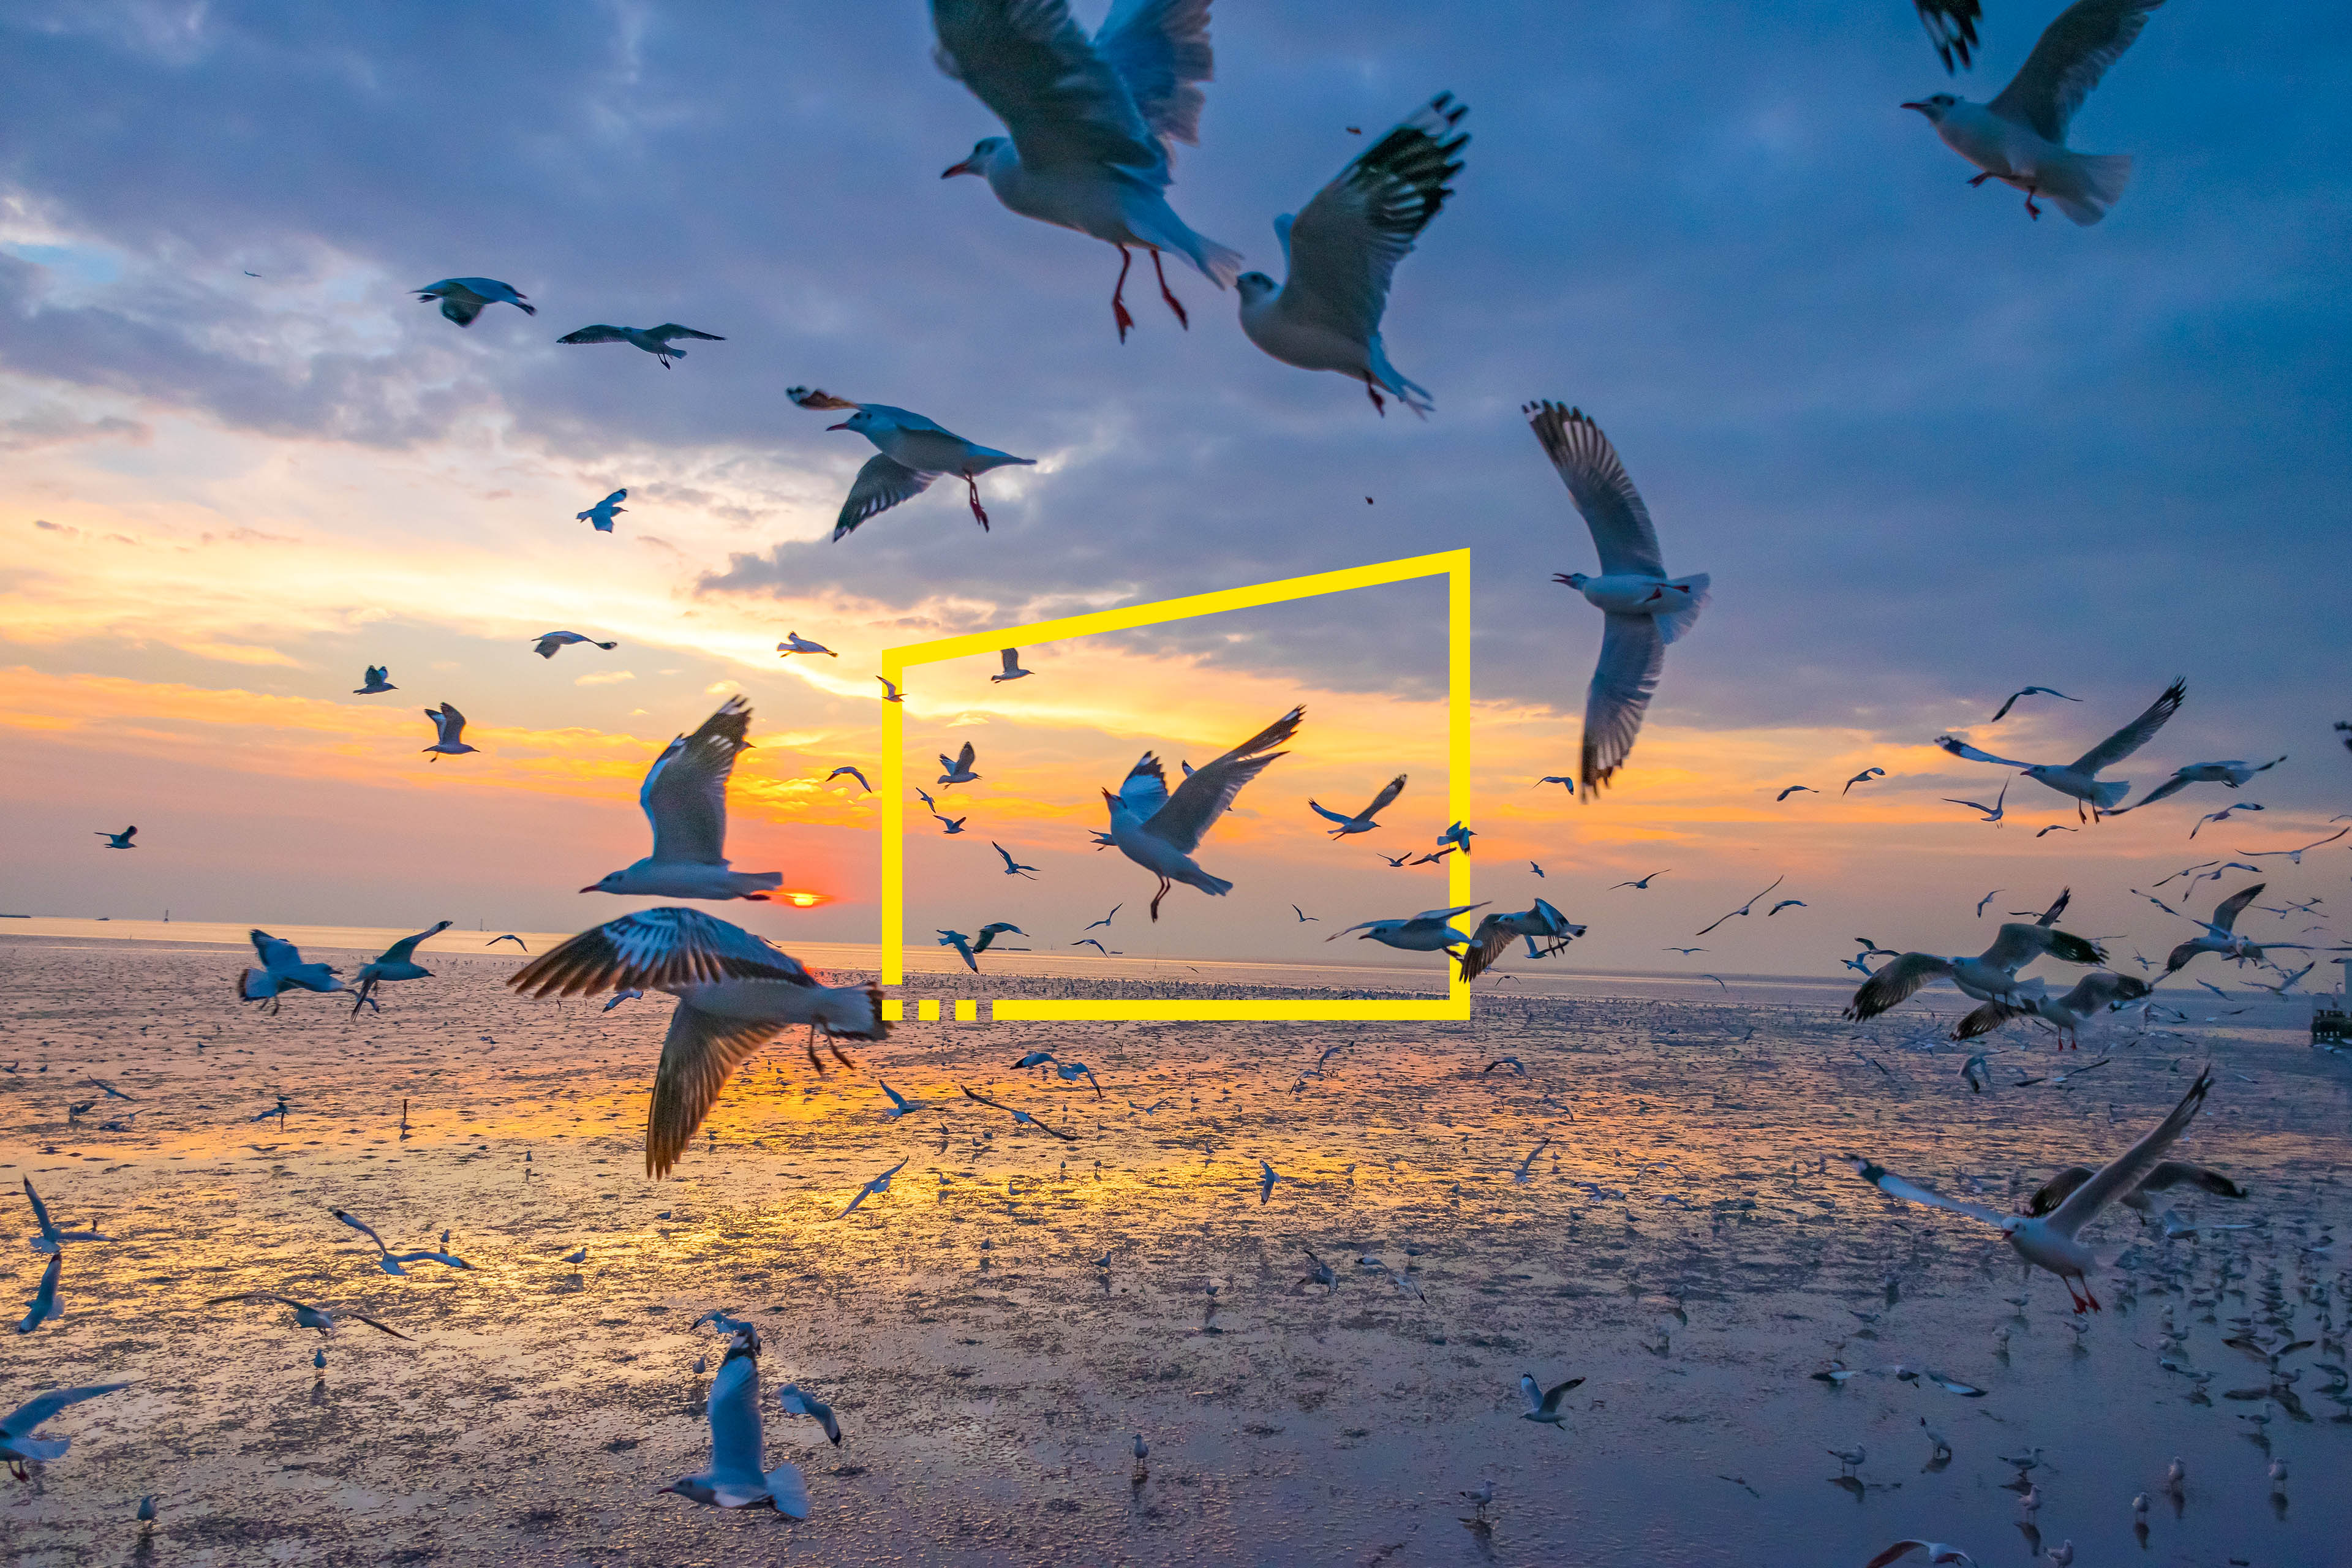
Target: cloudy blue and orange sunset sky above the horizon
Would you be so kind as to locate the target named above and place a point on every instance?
(1930, 453)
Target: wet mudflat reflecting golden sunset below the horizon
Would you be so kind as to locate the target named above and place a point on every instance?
(1673, 1245)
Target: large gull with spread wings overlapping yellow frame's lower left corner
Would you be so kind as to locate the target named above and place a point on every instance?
(735, 996)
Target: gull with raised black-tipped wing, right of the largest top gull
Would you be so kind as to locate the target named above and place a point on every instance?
(1344, 248)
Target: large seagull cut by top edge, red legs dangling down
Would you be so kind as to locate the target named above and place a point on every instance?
(1090, 121)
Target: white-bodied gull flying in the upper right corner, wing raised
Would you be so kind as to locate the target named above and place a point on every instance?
(2019, 138)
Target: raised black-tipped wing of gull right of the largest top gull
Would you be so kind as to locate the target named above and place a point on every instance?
(1349, 241)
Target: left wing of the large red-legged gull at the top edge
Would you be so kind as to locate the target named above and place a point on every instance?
(1067, 107)
